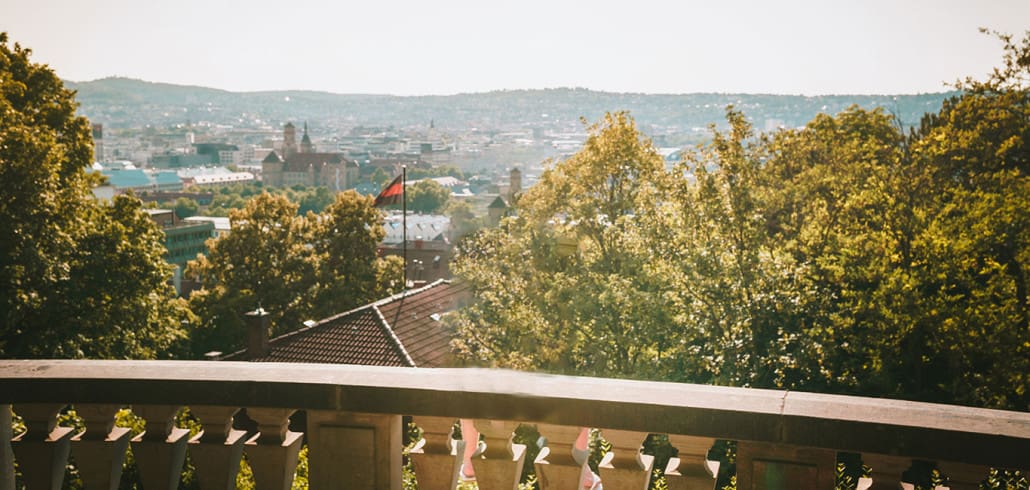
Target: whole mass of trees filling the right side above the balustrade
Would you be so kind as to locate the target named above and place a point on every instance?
(845, 257)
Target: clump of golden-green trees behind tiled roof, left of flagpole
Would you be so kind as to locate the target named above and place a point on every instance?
(298, 268)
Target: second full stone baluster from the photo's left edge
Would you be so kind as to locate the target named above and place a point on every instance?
(100, 451)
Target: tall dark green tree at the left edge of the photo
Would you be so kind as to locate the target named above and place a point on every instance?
(79, 278)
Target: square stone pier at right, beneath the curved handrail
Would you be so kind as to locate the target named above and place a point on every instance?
(780, 466)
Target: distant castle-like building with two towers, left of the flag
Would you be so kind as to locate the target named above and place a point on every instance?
(300, 165)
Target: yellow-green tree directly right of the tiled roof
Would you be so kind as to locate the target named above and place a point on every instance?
(566, 282)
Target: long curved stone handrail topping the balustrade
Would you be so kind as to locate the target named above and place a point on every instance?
(845, 424)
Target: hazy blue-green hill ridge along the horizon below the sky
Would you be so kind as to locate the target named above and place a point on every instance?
(125, 102)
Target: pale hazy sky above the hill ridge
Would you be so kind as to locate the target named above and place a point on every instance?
(449, 47)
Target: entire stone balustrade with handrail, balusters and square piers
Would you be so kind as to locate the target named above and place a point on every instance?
(354, 428)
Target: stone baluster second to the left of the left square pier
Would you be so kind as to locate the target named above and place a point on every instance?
(217, 451)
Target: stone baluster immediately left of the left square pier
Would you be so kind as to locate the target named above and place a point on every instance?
(273, 451)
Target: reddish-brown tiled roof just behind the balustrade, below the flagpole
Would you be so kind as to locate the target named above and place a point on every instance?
(402, 331)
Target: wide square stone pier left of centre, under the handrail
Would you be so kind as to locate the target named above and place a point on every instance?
(354, 450)
